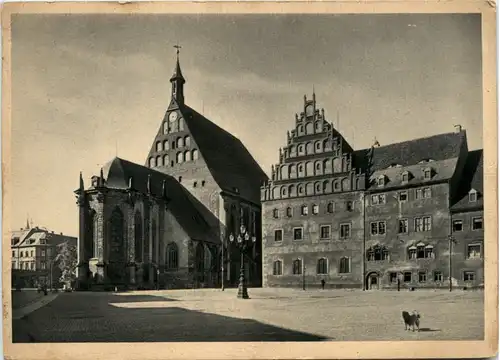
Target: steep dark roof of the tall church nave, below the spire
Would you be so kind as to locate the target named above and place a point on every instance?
(228, 160)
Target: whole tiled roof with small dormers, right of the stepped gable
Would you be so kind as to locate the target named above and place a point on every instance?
(442, 152)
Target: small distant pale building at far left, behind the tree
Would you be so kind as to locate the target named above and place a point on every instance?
(33, 252)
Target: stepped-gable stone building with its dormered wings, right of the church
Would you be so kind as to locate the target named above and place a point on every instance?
(371, 218)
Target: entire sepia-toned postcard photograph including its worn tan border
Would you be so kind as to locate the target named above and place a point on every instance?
(248, 177)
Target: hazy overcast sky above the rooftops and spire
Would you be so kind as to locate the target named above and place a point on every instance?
(86, 85)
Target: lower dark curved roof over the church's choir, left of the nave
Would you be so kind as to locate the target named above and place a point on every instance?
(181, 203)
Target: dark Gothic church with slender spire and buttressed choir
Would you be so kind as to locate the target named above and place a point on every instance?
(163, 224)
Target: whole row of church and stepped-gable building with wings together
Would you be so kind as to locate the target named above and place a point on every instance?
(407, 213)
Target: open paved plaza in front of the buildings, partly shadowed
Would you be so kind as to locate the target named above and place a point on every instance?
(270, 315)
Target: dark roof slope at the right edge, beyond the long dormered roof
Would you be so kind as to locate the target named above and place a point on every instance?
(472, 178)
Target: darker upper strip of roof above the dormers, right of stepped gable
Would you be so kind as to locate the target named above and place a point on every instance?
(437, 147)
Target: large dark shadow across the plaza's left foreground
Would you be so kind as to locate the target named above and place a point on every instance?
(102, 319)
